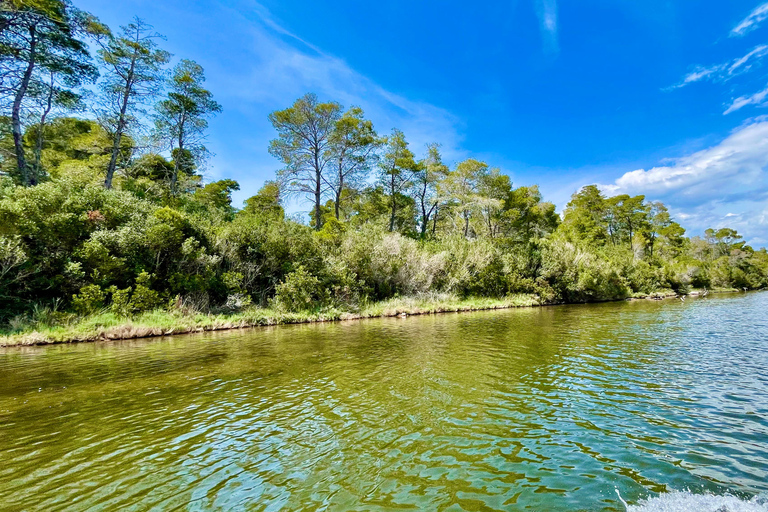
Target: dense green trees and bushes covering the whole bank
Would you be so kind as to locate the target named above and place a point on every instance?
(103, 206)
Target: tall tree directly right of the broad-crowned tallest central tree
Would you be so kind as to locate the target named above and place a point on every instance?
(353, 143)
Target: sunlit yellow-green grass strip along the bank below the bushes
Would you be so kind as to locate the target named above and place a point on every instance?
(53, 328)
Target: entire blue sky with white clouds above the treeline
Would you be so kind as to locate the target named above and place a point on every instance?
(662, 98)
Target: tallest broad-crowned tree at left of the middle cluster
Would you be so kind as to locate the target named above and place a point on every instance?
(304, 146)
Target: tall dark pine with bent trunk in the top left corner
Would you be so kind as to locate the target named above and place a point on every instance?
(41, 36)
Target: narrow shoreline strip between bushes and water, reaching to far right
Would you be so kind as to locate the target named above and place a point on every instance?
(107, 327)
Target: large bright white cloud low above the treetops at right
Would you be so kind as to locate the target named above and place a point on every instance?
(723, 185)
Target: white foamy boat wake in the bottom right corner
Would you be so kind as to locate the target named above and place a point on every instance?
(687, 502)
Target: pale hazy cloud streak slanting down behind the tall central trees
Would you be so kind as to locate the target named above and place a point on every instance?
(266, 67)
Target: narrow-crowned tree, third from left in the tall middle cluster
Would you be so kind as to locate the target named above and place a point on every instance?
(396, 170)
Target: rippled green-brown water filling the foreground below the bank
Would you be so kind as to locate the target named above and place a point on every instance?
(543, 409)
